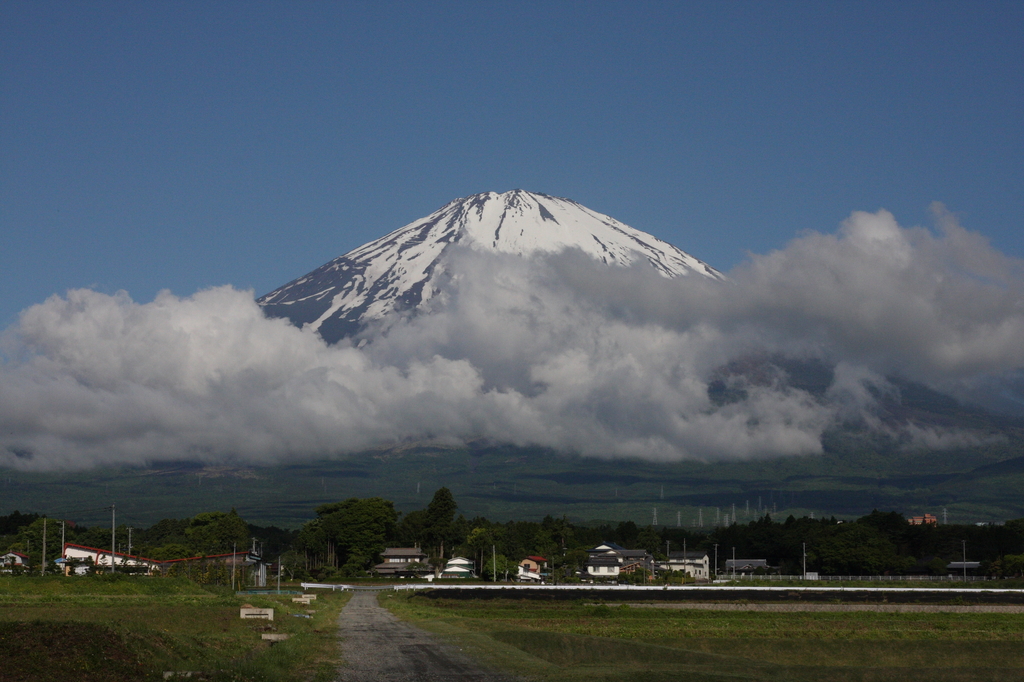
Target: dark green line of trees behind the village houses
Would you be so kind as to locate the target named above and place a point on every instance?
(348, 538)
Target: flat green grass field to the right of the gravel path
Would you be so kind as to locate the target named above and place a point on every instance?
(575, 642)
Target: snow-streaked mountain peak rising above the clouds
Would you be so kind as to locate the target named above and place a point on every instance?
(404, 270)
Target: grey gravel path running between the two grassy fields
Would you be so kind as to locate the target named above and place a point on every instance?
(379, 648)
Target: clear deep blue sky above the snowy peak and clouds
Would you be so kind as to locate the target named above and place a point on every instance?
(148, 146)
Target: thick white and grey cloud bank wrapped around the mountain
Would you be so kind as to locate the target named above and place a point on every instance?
(561, 352)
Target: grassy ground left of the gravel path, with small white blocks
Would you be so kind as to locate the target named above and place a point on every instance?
(100, 629)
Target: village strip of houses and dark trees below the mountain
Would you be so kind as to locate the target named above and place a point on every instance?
(369, 539)
